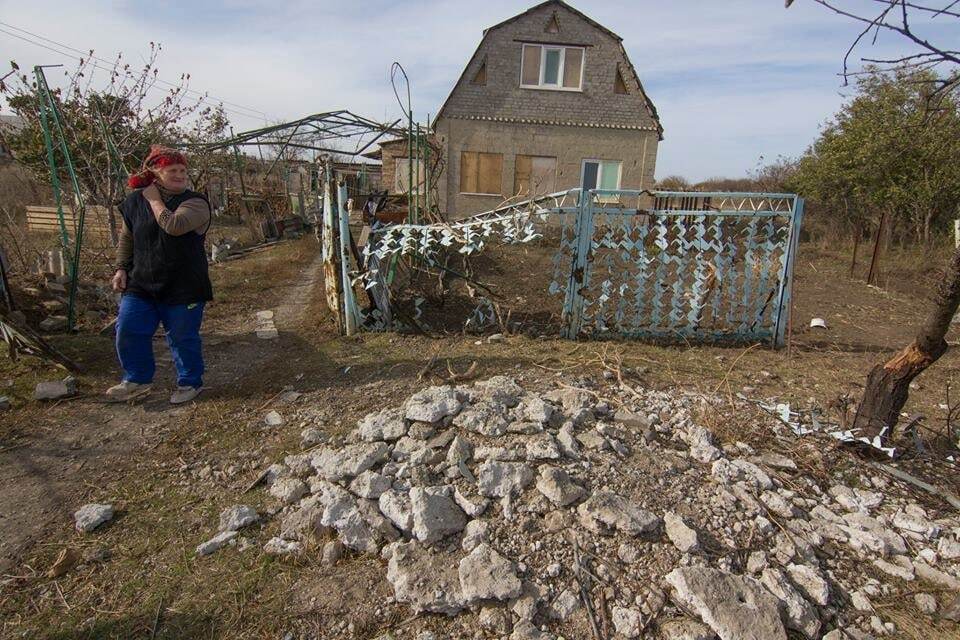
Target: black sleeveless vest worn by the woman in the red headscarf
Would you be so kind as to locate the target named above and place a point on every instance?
(166, 269)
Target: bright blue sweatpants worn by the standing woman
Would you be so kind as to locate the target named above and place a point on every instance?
(138, 320)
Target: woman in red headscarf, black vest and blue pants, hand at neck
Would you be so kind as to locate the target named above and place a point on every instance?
(162, 273)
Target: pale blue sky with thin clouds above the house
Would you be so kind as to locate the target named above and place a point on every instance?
(733, 80)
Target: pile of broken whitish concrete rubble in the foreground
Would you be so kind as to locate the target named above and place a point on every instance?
(525, 514)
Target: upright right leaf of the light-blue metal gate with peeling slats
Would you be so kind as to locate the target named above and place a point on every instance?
(678, 265)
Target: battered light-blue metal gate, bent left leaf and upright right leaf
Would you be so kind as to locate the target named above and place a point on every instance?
(666, 265)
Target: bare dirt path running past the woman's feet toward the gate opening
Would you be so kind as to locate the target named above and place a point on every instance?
(77, 445)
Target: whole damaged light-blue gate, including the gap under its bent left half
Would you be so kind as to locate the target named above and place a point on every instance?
(661, 265)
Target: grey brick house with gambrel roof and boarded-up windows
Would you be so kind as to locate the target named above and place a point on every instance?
(549, 101)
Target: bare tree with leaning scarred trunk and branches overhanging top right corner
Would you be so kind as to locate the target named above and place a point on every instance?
(888, 384)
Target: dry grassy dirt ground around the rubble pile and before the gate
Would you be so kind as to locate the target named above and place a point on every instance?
(169, 471)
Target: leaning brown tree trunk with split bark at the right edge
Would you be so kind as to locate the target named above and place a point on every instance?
(888, 384)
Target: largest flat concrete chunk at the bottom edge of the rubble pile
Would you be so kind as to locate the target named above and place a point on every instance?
(735, 607)
